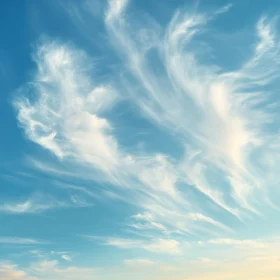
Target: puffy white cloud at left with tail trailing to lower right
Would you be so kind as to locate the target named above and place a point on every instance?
(90, 142)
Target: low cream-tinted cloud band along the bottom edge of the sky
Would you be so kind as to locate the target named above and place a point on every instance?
(241, 258)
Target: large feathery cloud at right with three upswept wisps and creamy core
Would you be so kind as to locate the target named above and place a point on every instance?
(213, 111)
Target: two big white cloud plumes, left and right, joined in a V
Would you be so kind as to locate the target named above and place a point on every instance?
(216, 114)
